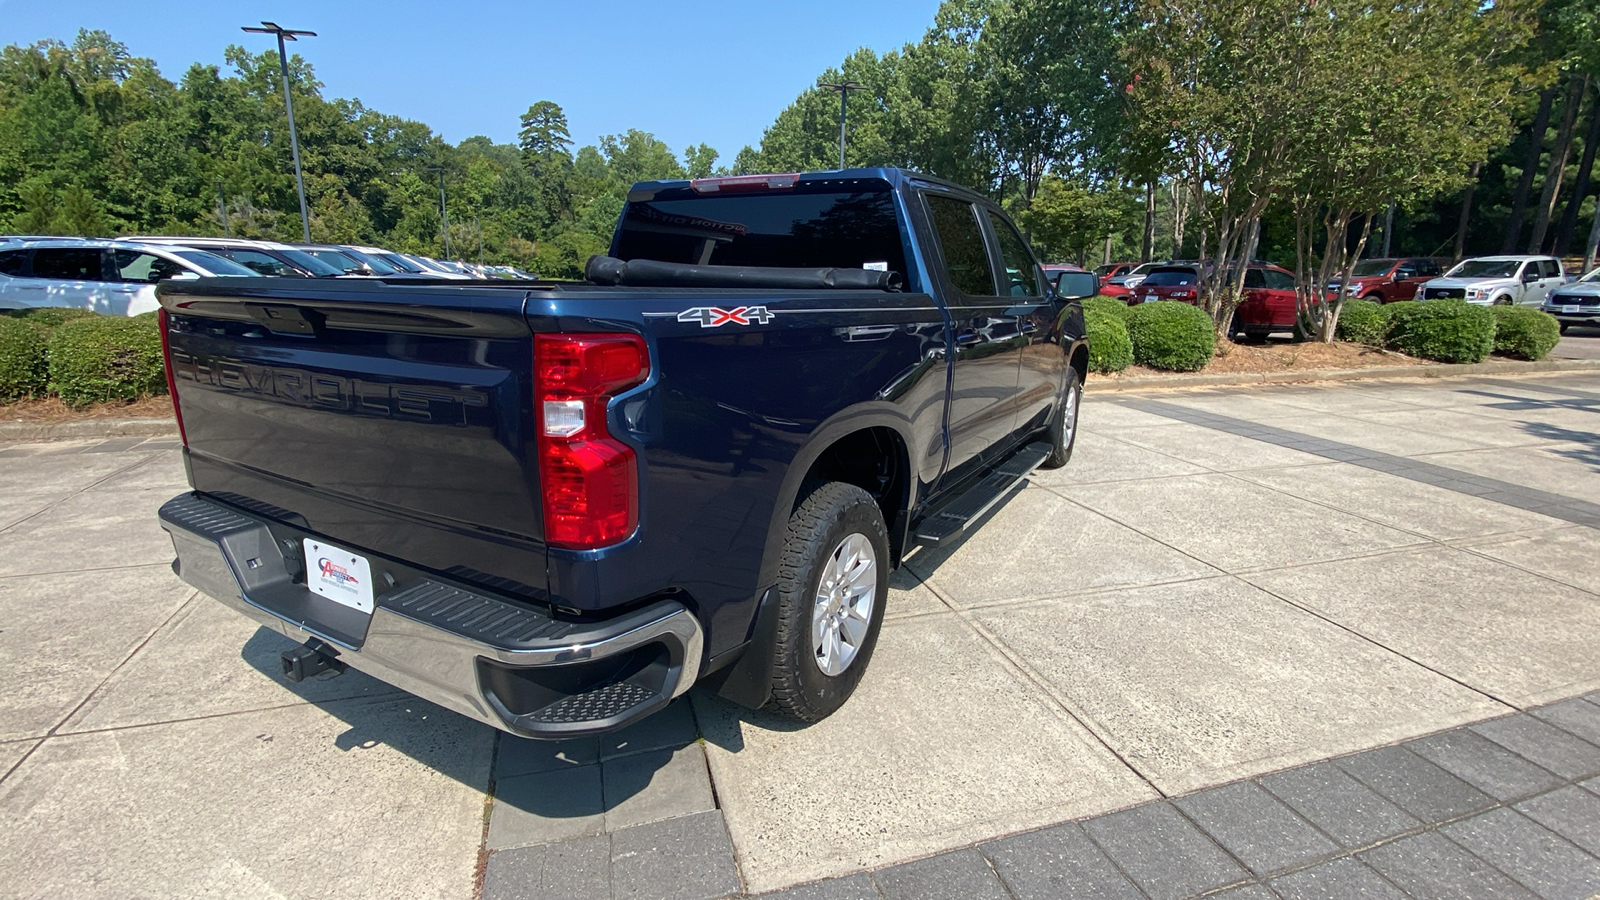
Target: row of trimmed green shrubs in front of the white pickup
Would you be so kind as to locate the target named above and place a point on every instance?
(1450, 331)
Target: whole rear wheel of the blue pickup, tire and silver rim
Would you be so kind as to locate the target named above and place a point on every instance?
(833, 584)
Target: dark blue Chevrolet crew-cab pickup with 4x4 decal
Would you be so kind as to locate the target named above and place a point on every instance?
(554, 507)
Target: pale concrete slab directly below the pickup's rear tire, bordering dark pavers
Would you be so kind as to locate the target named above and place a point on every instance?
(940, 747)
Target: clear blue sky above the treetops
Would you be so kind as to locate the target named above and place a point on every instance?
(711, 71)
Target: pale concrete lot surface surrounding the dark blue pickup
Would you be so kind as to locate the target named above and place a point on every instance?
(1220, 587)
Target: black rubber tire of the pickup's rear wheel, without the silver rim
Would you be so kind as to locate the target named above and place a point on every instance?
(818, 528)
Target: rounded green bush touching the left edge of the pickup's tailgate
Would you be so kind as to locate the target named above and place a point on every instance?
(106, 358)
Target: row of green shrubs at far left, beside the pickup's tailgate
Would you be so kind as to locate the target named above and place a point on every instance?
(81, 356)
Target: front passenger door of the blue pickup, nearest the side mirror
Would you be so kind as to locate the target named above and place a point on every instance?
(1041, 363)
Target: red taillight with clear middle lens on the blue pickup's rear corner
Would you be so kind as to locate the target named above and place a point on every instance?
(590, 480)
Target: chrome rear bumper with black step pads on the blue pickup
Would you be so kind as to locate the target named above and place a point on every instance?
(486, 657)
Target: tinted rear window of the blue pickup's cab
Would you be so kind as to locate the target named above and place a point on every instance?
(801, 228)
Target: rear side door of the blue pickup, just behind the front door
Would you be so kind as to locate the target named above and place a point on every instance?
(985, 380)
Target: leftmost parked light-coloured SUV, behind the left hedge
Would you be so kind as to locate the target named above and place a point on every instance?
(114, 278)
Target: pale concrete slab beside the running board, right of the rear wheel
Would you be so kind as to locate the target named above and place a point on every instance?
(1041, 545)
